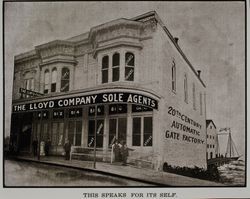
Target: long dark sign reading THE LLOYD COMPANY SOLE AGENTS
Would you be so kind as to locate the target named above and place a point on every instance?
(121, 97)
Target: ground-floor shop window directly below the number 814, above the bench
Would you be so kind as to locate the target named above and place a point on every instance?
(75, 132)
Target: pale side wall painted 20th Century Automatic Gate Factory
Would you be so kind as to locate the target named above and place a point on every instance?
(183, 133)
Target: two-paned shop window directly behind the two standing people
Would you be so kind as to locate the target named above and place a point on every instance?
(117, 130)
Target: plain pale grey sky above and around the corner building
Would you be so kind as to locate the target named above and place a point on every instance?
(211, 34)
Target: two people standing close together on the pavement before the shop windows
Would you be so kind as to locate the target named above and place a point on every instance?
(119, 152)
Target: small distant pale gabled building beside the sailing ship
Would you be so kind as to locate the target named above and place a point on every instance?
(212, 140)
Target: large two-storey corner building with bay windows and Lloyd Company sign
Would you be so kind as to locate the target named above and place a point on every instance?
(126, 79)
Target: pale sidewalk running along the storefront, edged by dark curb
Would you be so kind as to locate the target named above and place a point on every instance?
(158, 178)
